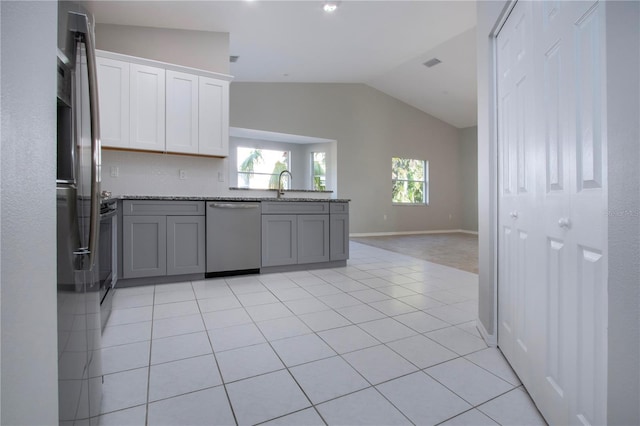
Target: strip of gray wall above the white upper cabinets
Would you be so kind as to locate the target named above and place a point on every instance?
(197, 49)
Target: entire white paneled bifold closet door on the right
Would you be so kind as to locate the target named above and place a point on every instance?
(565, 303)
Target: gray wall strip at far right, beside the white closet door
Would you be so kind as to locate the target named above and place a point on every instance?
(623, 134)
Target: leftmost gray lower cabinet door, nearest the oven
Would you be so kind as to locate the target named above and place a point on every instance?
(144, 246)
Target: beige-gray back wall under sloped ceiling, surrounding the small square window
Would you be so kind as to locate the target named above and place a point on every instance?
(370, 128)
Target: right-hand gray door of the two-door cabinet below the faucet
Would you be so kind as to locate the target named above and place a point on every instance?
(313, 238)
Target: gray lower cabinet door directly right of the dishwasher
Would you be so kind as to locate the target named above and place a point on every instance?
(279, 240)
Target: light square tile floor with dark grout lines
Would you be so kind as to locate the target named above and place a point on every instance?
(389, 339)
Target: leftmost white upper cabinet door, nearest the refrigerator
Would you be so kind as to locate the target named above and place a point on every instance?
(113, 93)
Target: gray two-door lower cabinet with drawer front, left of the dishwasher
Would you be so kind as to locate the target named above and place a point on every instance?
(162, 238)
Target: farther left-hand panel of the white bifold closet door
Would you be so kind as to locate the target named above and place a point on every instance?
(517, 216)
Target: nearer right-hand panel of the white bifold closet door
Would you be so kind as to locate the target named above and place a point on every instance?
(573, 383)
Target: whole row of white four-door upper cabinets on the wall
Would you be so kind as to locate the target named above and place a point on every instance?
(154, 106)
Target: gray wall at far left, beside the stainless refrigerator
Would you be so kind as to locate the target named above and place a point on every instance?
(29, 380)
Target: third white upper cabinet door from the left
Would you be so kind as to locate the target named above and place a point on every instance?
(182, 112)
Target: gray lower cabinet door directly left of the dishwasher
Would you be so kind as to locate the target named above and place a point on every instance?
(185, 245)
